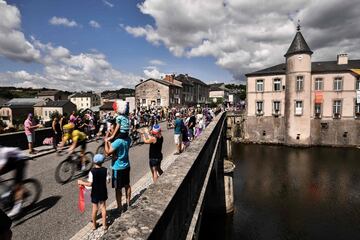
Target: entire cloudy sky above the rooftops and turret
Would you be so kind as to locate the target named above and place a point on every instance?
(109, 44)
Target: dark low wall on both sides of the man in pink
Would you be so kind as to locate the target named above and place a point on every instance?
(18, 139)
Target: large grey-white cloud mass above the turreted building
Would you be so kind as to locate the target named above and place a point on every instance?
(246, 35)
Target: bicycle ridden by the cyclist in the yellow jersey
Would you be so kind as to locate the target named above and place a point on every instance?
(66, 168)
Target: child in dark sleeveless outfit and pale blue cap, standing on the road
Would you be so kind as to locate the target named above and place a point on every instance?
(98, 176)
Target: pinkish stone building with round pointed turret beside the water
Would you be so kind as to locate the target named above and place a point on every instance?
(301, 102)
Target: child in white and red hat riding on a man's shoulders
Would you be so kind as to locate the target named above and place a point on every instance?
(122, 121)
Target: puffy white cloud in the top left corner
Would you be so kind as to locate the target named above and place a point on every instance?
(13, 43)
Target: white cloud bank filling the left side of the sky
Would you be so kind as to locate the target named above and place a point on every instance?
(61, 68)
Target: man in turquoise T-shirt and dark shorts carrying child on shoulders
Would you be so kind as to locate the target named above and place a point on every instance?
(120, 168)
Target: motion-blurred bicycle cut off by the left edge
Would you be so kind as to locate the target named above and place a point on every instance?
(31, 193)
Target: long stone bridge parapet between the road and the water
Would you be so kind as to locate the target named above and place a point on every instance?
(168, 208)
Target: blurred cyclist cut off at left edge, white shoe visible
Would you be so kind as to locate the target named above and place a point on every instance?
(11, 158)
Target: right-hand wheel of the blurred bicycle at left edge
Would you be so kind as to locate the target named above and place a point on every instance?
(32, 192)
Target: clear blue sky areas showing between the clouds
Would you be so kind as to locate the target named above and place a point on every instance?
(123, 51)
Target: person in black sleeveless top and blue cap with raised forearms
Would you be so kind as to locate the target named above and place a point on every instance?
(155, 150)
